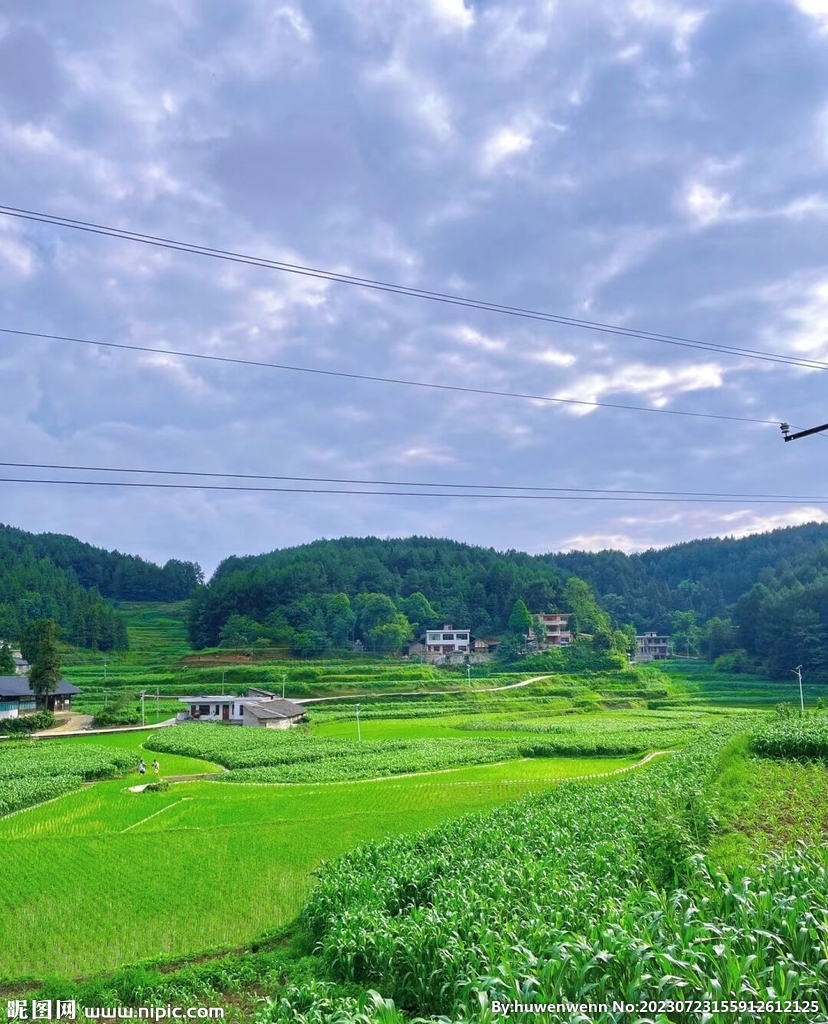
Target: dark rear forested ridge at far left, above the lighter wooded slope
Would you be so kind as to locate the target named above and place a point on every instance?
(123, 578)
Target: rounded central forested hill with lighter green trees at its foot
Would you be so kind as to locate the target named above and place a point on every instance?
(329, 593)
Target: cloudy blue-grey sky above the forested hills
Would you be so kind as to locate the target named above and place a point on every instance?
(653, 164)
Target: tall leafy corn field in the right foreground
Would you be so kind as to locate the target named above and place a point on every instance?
(586, 893)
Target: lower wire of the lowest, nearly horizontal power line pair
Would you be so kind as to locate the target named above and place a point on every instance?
(613, 497)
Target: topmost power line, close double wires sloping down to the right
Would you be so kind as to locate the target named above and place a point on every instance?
(405, 290)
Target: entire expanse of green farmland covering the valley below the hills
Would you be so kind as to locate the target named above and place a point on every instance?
(472, 858)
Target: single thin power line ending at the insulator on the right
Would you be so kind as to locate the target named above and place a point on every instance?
(374, 378)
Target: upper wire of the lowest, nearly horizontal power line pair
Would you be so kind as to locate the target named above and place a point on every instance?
(738, 495)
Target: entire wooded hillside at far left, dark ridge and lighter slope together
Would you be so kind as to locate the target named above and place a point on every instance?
(50, 576)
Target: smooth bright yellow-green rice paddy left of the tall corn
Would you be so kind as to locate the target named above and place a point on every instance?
(220, 866)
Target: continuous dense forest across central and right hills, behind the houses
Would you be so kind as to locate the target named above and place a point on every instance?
(761, 602)
